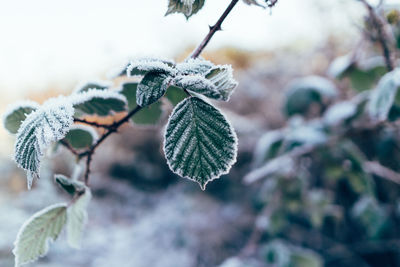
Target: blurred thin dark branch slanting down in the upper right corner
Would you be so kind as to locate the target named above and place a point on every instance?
(379, 25)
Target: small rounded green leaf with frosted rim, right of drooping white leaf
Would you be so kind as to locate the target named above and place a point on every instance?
(81, 136)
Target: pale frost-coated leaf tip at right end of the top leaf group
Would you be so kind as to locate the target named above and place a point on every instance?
(222, 78)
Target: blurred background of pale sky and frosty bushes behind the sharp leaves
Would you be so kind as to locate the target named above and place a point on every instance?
(323, 210)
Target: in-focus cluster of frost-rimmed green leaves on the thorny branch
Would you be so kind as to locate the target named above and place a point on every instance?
(199, 142)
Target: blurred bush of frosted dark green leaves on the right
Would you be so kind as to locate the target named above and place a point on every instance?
(330, 172)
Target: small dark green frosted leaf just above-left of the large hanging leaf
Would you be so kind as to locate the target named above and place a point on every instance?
(151, 88)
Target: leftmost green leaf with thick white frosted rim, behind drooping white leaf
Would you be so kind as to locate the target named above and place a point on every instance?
(16, 113)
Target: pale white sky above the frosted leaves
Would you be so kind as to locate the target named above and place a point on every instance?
(60, 42)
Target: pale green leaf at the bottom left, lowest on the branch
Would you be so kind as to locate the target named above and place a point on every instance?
(34, 236)
